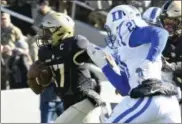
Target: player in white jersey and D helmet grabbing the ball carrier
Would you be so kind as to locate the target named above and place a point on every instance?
(139, 47)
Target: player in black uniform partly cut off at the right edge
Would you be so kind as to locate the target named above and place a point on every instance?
(171, 19)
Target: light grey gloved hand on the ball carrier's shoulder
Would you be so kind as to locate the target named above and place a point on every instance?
(82, 42)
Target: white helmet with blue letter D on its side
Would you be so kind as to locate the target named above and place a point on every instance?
(115, 17)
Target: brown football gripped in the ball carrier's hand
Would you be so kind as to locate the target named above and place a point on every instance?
(39, 76)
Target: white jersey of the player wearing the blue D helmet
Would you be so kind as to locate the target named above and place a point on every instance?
(132, 57)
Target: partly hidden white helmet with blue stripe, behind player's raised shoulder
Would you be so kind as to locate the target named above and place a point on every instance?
(151, 15)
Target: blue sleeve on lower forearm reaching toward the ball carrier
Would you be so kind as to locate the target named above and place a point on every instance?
(120, 82)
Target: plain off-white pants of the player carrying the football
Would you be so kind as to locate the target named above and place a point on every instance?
(81, 112)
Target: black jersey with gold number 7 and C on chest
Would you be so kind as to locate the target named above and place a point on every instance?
(67, 62)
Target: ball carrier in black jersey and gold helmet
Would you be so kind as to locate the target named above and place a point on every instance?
(66, 57)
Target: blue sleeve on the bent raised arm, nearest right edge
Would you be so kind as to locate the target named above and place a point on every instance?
(150, 34)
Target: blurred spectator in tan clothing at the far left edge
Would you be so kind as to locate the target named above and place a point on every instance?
(10, 35)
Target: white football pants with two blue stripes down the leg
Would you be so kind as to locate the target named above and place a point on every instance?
(156, 109)
